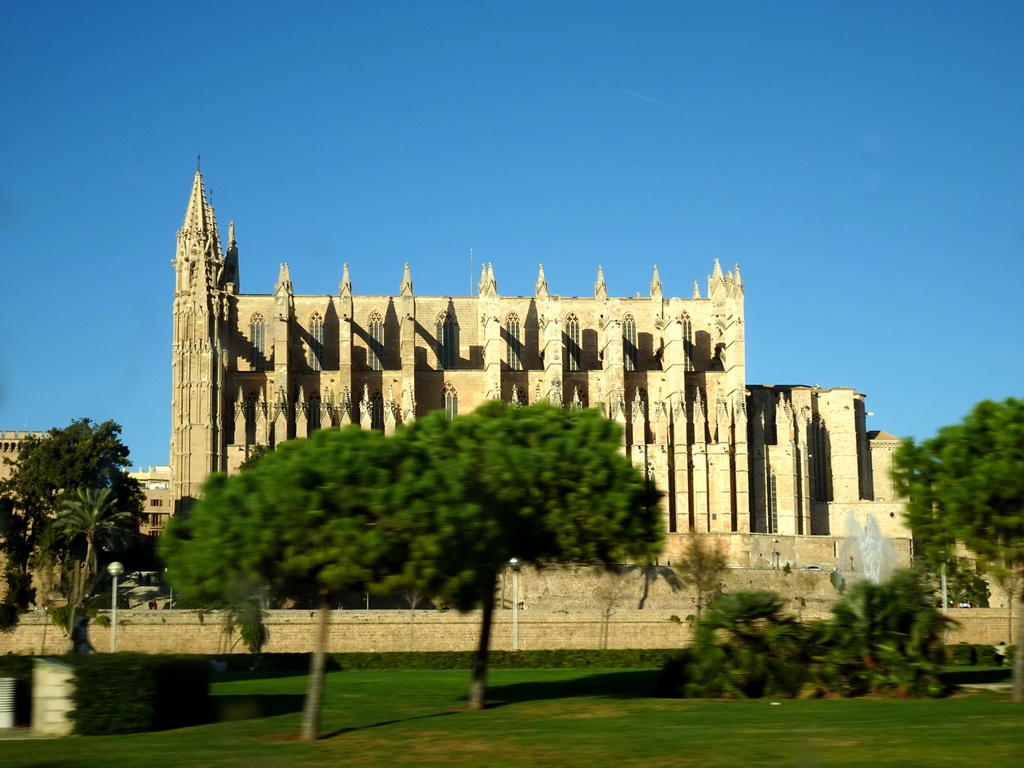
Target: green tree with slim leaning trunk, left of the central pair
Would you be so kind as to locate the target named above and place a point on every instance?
(314, 515)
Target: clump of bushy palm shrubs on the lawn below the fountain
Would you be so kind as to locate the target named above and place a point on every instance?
(882, 639)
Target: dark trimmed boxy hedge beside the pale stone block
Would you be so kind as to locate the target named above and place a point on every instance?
(135, 693)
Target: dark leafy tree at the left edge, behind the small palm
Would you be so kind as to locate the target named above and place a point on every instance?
(49, 471)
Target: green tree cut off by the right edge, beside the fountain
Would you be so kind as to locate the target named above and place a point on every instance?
(967, 485)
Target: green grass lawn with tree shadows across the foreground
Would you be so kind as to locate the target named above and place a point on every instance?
(551, 718)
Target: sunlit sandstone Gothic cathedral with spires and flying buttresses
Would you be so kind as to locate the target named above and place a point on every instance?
(732, 458)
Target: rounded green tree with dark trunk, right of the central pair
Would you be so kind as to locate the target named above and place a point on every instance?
(538, 484)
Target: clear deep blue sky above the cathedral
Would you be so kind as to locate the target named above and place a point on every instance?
(864, 163)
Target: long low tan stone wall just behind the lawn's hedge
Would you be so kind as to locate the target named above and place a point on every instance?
(292, 631)
